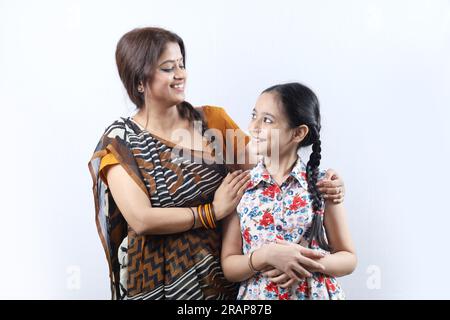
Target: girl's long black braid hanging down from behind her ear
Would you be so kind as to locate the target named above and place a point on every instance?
(316, 231)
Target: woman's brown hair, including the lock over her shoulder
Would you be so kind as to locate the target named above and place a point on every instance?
(137, 54)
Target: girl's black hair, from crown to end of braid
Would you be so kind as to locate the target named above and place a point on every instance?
(301, 106)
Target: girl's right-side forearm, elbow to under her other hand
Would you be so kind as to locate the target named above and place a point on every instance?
(338, 264)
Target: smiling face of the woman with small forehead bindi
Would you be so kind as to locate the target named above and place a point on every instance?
(169, 79)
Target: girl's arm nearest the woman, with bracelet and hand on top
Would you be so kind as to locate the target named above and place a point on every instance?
(236, 267)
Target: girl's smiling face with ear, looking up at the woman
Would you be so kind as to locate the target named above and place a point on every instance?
(269, 128)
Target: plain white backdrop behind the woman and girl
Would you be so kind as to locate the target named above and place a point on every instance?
(381, 70)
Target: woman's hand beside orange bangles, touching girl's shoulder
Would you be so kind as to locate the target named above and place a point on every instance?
(229, 193)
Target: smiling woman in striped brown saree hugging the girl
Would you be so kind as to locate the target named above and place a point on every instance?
(159, 202)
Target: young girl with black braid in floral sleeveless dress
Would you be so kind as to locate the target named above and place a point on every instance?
(286, 242)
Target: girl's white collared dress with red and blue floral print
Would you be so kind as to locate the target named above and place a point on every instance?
(268, 211)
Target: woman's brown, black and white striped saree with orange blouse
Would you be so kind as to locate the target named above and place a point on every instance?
(184, 265)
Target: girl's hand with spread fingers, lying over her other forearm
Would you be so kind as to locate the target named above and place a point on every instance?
(293, 259)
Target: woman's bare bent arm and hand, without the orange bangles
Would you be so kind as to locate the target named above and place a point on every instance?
(137, 210)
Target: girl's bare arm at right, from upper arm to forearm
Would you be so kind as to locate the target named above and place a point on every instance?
(342, 260)
